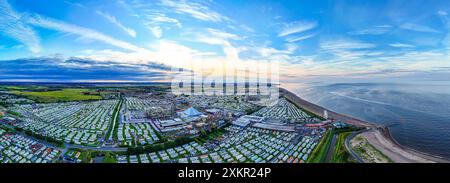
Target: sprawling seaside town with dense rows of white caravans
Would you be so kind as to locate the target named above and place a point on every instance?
(152, 125)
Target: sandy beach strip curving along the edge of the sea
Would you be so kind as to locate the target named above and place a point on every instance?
(378, 136)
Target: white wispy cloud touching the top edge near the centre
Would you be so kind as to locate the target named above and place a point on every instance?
(194, 9)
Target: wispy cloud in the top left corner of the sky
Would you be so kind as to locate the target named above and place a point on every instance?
(12, 26)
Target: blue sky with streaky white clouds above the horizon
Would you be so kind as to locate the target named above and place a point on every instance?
(139, 40)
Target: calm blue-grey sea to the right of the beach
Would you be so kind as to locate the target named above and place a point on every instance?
(418, 115)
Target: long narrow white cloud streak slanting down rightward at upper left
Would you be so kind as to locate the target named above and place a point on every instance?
(83, 32)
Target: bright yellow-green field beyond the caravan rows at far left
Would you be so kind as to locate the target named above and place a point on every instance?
(64, 95)
